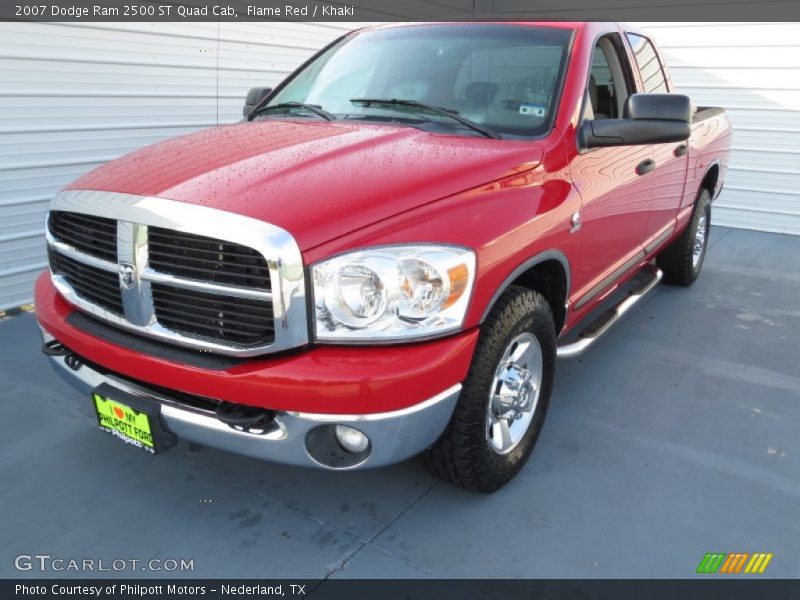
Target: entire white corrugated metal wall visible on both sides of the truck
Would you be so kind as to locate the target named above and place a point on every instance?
(75, 95)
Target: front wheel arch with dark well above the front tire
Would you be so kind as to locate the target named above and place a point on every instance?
(547, 273)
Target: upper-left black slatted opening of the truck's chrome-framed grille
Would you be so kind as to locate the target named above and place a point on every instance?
(96, 236)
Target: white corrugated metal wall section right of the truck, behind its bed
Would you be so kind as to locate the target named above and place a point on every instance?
(753, 70)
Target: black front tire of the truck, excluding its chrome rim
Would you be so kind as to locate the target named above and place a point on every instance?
(463, 454)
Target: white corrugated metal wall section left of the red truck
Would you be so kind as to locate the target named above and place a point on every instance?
(73, 96)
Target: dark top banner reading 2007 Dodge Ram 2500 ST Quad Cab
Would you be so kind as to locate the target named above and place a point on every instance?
(399, 10)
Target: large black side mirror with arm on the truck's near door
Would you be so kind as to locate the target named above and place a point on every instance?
(649, 119)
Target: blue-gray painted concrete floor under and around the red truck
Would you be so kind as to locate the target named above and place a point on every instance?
(676, 436)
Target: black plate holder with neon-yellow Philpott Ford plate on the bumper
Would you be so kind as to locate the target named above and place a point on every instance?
(132, 418)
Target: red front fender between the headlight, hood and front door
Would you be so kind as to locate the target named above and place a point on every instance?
(511, 224)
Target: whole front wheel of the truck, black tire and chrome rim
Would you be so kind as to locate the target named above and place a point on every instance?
(504, 399)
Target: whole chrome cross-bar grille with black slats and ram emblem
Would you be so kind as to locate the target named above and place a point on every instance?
(198, 287)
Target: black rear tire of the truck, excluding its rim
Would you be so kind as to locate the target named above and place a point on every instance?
(677, 259)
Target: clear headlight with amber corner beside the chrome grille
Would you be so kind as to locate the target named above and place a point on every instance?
(392, 293)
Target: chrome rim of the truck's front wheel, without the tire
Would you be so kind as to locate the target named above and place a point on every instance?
(515, 392)
